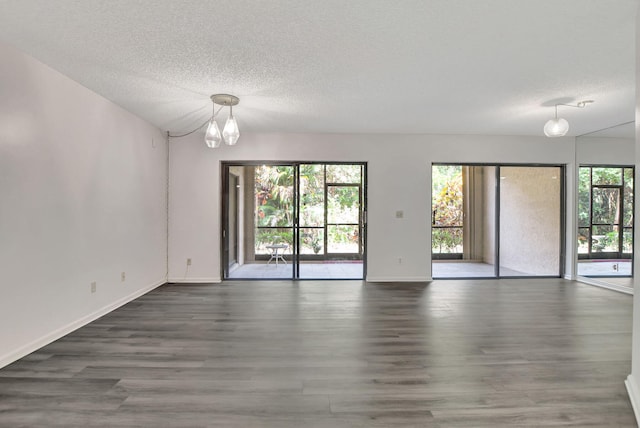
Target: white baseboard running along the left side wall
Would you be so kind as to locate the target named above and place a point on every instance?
(25, 350)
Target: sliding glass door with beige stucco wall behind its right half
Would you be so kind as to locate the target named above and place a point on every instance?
(493, 221)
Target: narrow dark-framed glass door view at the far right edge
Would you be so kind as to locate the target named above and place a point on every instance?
(605, 221)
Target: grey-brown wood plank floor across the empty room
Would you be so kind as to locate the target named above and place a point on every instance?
(337, 354)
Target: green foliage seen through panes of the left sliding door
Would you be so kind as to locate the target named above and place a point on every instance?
(325, 226)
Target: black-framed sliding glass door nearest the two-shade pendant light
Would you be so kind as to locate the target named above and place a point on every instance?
(294, 221)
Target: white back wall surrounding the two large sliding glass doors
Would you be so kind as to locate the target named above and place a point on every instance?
(399, 178)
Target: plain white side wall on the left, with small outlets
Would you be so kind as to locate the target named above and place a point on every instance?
(83, 187)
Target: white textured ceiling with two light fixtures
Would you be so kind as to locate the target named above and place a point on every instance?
(358, 66)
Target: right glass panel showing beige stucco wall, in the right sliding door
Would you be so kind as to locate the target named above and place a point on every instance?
(530, 226)
